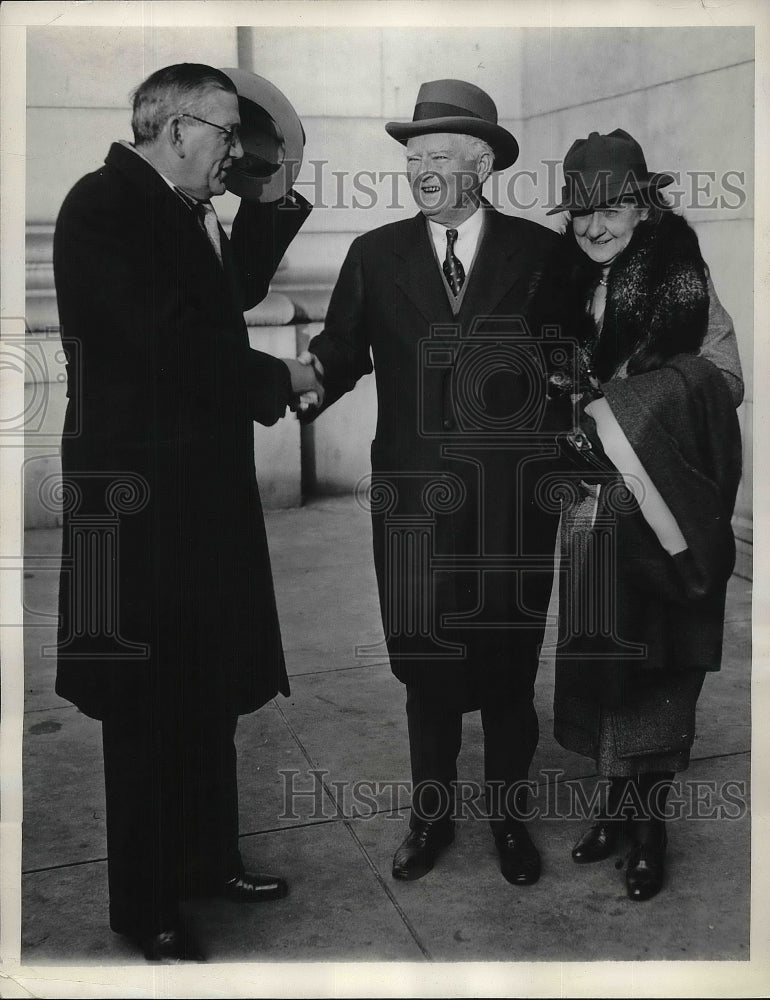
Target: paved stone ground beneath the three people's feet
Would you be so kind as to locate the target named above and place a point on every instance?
(345, 721)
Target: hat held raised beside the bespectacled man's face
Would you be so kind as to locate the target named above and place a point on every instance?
(272, 137)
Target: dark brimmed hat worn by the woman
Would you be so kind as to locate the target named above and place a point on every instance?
(603, 169)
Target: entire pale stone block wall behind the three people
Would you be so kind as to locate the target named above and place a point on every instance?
(685, 93)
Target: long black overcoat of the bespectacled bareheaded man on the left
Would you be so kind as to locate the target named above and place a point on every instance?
(166, 586)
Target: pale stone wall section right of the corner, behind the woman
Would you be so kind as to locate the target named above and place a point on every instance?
(687, 95)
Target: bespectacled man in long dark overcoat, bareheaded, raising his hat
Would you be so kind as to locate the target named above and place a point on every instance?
(168, 624)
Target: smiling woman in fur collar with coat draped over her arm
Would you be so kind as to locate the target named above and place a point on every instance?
(654, 454)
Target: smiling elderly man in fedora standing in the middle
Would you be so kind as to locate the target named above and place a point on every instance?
(463, 549)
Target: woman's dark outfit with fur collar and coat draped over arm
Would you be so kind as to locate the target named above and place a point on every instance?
(631, 615)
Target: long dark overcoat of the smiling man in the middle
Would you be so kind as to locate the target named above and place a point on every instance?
(463, 545)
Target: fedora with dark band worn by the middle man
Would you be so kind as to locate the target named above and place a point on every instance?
(462, 108)
